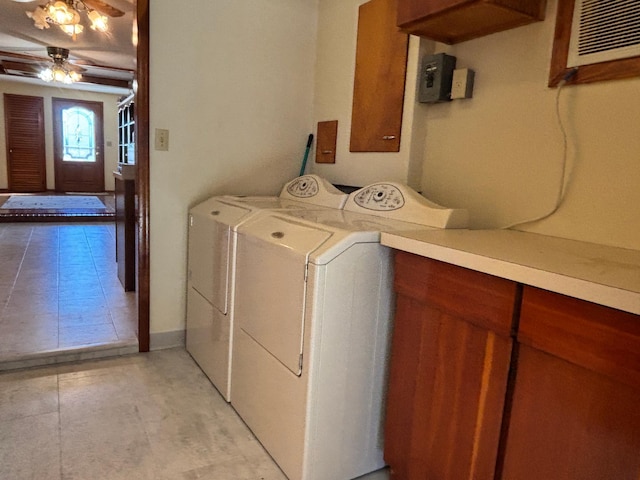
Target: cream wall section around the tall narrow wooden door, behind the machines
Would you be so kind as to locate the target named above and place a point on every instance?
(335, 66)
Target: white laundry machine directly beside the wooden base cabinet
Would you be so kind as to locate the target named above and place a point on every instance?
(314, 306)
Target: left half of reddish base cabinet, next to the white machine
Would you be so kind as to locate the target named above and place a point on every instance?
(450, 362)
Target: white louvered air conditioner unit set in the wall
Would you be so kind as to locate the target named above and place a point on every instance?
(604, 30)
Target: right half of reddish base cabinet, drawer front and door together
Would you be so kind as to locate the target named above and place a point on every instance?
(576, 404)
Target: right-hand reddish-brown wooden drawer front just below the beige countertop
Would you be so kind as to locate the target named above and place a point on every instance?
(595, 337)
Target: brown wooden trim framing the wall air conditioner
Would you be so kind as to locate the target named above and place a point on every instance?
(613, 70)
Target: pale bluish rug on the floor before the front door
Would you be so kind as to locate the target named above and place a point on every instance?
(54, 208)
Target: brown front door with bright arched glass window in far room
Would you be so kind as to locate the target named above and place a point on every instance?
(78, 145)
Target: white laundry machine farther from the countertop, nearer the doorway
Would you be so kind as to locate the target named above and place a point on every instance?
(211, 261)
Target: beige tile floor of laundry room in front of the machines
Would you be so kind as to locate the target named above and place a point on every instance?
(137, 417)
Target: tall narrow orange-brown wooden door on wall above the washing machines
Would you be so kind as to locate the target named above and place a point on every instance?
(378, 92)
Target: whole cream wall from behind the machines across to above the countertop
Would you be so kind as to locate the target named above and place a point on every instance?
(500, 153)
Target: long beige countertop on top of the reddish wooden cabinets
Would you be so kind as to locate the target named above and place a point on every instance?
(605, 275)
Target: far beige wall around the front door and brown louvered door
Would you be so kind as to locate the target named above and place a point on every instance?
(110, 118)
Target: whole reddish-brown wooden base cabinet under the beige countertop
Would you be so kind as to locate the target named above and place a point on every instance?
(494, 380)
